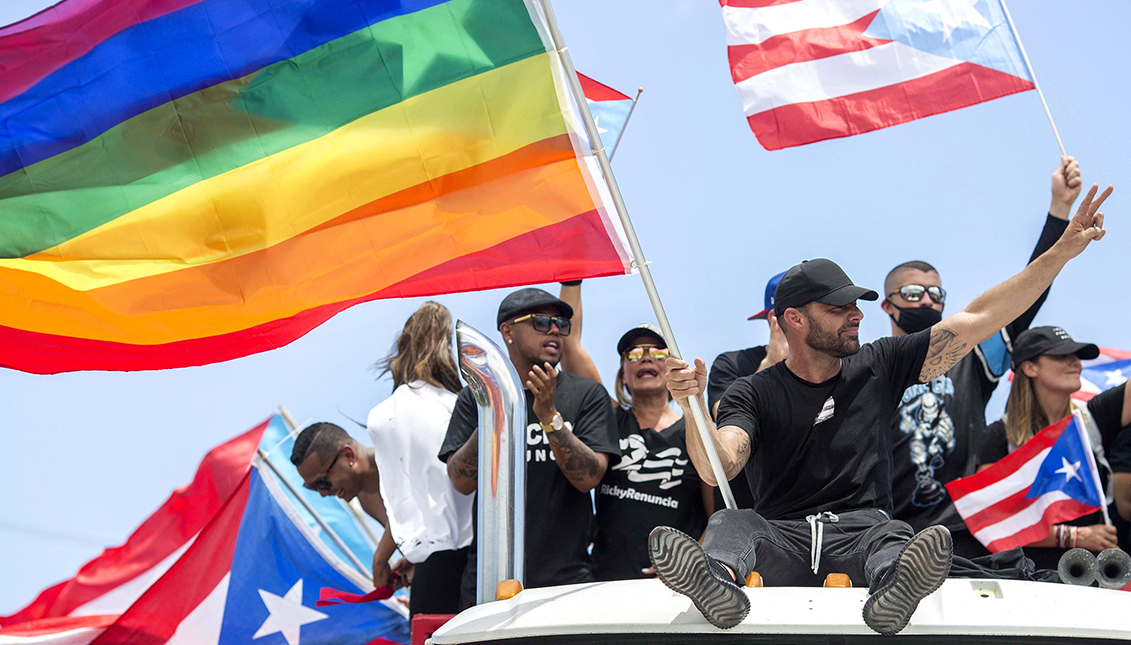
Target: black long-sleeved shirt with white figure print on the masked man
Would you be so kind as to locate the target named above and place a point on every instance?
(938, 429)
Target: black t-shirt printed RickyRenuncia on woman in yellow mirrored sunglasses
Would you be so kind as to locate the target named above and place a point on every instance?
(654, 485)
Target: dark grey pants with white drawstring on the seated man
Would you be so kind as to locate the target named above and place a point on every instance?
(860, 544)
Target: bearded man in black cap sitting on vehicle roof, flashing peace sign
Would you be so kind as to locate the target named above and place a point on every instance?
(811, 433)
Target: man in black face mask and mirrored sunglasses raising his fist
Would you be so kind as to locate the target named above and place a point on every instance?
(938, 429)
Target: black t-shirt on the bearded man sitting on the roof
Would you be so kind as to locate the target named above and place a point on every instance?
(825, 446)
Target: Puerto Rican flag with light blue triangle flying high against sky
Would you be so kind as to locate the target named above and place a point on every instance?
(809, 71)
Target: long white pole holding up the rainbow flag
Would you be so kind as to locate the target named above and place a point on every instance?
(591, 128)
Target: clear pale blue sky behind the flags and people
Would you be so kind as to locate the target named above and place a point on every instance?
(91, 455)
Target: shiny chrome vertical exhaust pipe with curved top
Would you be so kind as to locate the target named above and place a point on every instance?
(500, 536)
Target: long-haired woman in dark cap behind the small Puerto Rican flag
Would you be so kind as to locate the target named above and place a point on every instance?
(1047, 373)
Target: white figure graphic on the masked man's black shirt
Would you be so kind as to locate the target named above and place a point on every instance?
(923, 416)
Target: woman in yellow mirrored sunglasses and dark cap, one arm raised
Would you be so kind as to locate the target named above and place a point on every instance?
(654, 484)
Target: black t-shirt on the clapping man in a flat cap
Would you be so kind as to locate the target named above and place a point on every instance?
(558, 515)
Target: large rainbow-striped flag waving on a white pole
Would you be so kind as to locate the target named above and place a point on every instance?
(191, 182)
